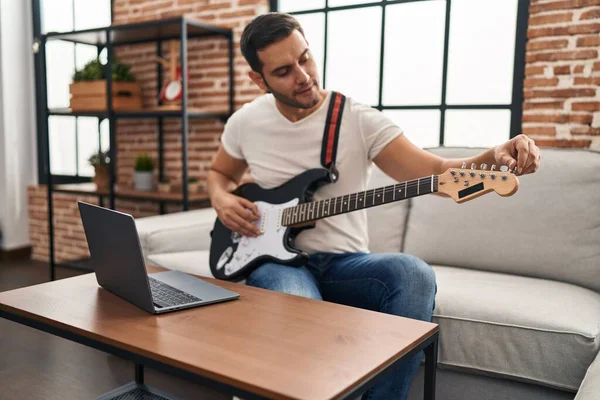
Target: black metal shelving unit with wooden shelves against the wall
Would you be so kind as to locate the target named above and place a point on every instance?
(181, 29)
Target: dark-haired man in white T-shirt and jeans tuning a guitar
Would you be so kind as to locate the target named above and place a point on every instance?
(279, 135)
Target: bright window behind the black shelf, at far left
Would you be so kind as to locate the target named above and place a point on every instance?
(72, 139)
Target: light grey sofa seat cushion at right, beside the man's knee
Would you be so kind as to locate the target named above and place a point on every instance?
(525, 328)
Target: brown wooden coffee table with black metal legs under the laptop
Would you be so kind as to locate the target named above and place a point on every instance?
(263, 345)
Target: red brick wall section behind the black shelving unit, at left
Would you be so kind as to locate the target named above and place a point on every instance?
(208, 90)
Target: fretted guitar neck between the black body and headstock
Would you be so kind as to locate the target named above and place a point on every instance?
(312, 211)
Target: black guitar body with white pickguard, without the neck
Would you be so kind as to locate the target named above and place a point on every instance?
(233, 257)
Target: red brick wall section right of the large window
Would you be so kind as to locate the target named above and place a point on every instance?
(562, 95)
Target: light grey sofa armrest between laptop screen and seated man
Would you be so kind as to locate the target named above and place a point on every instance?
(176, 232)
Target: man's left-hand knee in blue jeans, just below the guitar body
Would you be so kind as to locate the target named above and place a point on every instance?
(284, 279)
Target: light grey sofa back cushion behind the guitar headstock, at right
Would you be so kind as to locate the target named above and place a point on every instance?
(550, 228)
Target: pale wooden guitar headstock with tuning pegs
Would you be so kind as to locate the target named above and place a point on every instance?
(464, 184)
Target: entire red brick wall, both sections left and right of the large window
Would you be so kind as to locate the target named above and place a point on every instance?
(561, 107)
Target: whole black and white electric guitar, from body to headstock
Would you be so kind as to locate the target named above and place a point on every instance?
(286, 210)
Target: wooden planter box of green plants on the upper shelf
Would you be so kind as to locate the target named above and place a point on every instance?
(88, 90)
